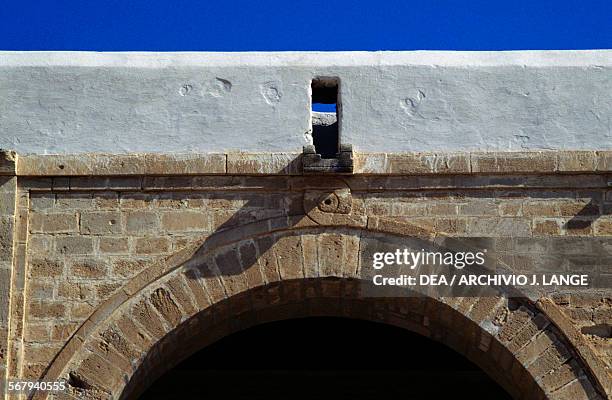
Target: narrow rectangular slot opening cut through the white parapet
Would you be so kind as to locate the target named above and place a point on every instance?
(325, 116)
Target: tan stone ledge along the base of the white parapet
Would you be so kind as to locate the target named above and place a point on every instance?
(269, 163)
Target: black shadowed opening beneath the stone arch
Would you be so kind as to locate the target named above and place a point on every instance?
(325, 358)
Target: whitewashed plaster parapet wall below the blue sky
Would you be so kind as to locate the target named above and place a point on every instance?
(75, 102)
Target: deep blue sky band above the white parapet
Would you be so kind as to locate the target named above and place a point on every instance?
(261, 25)
